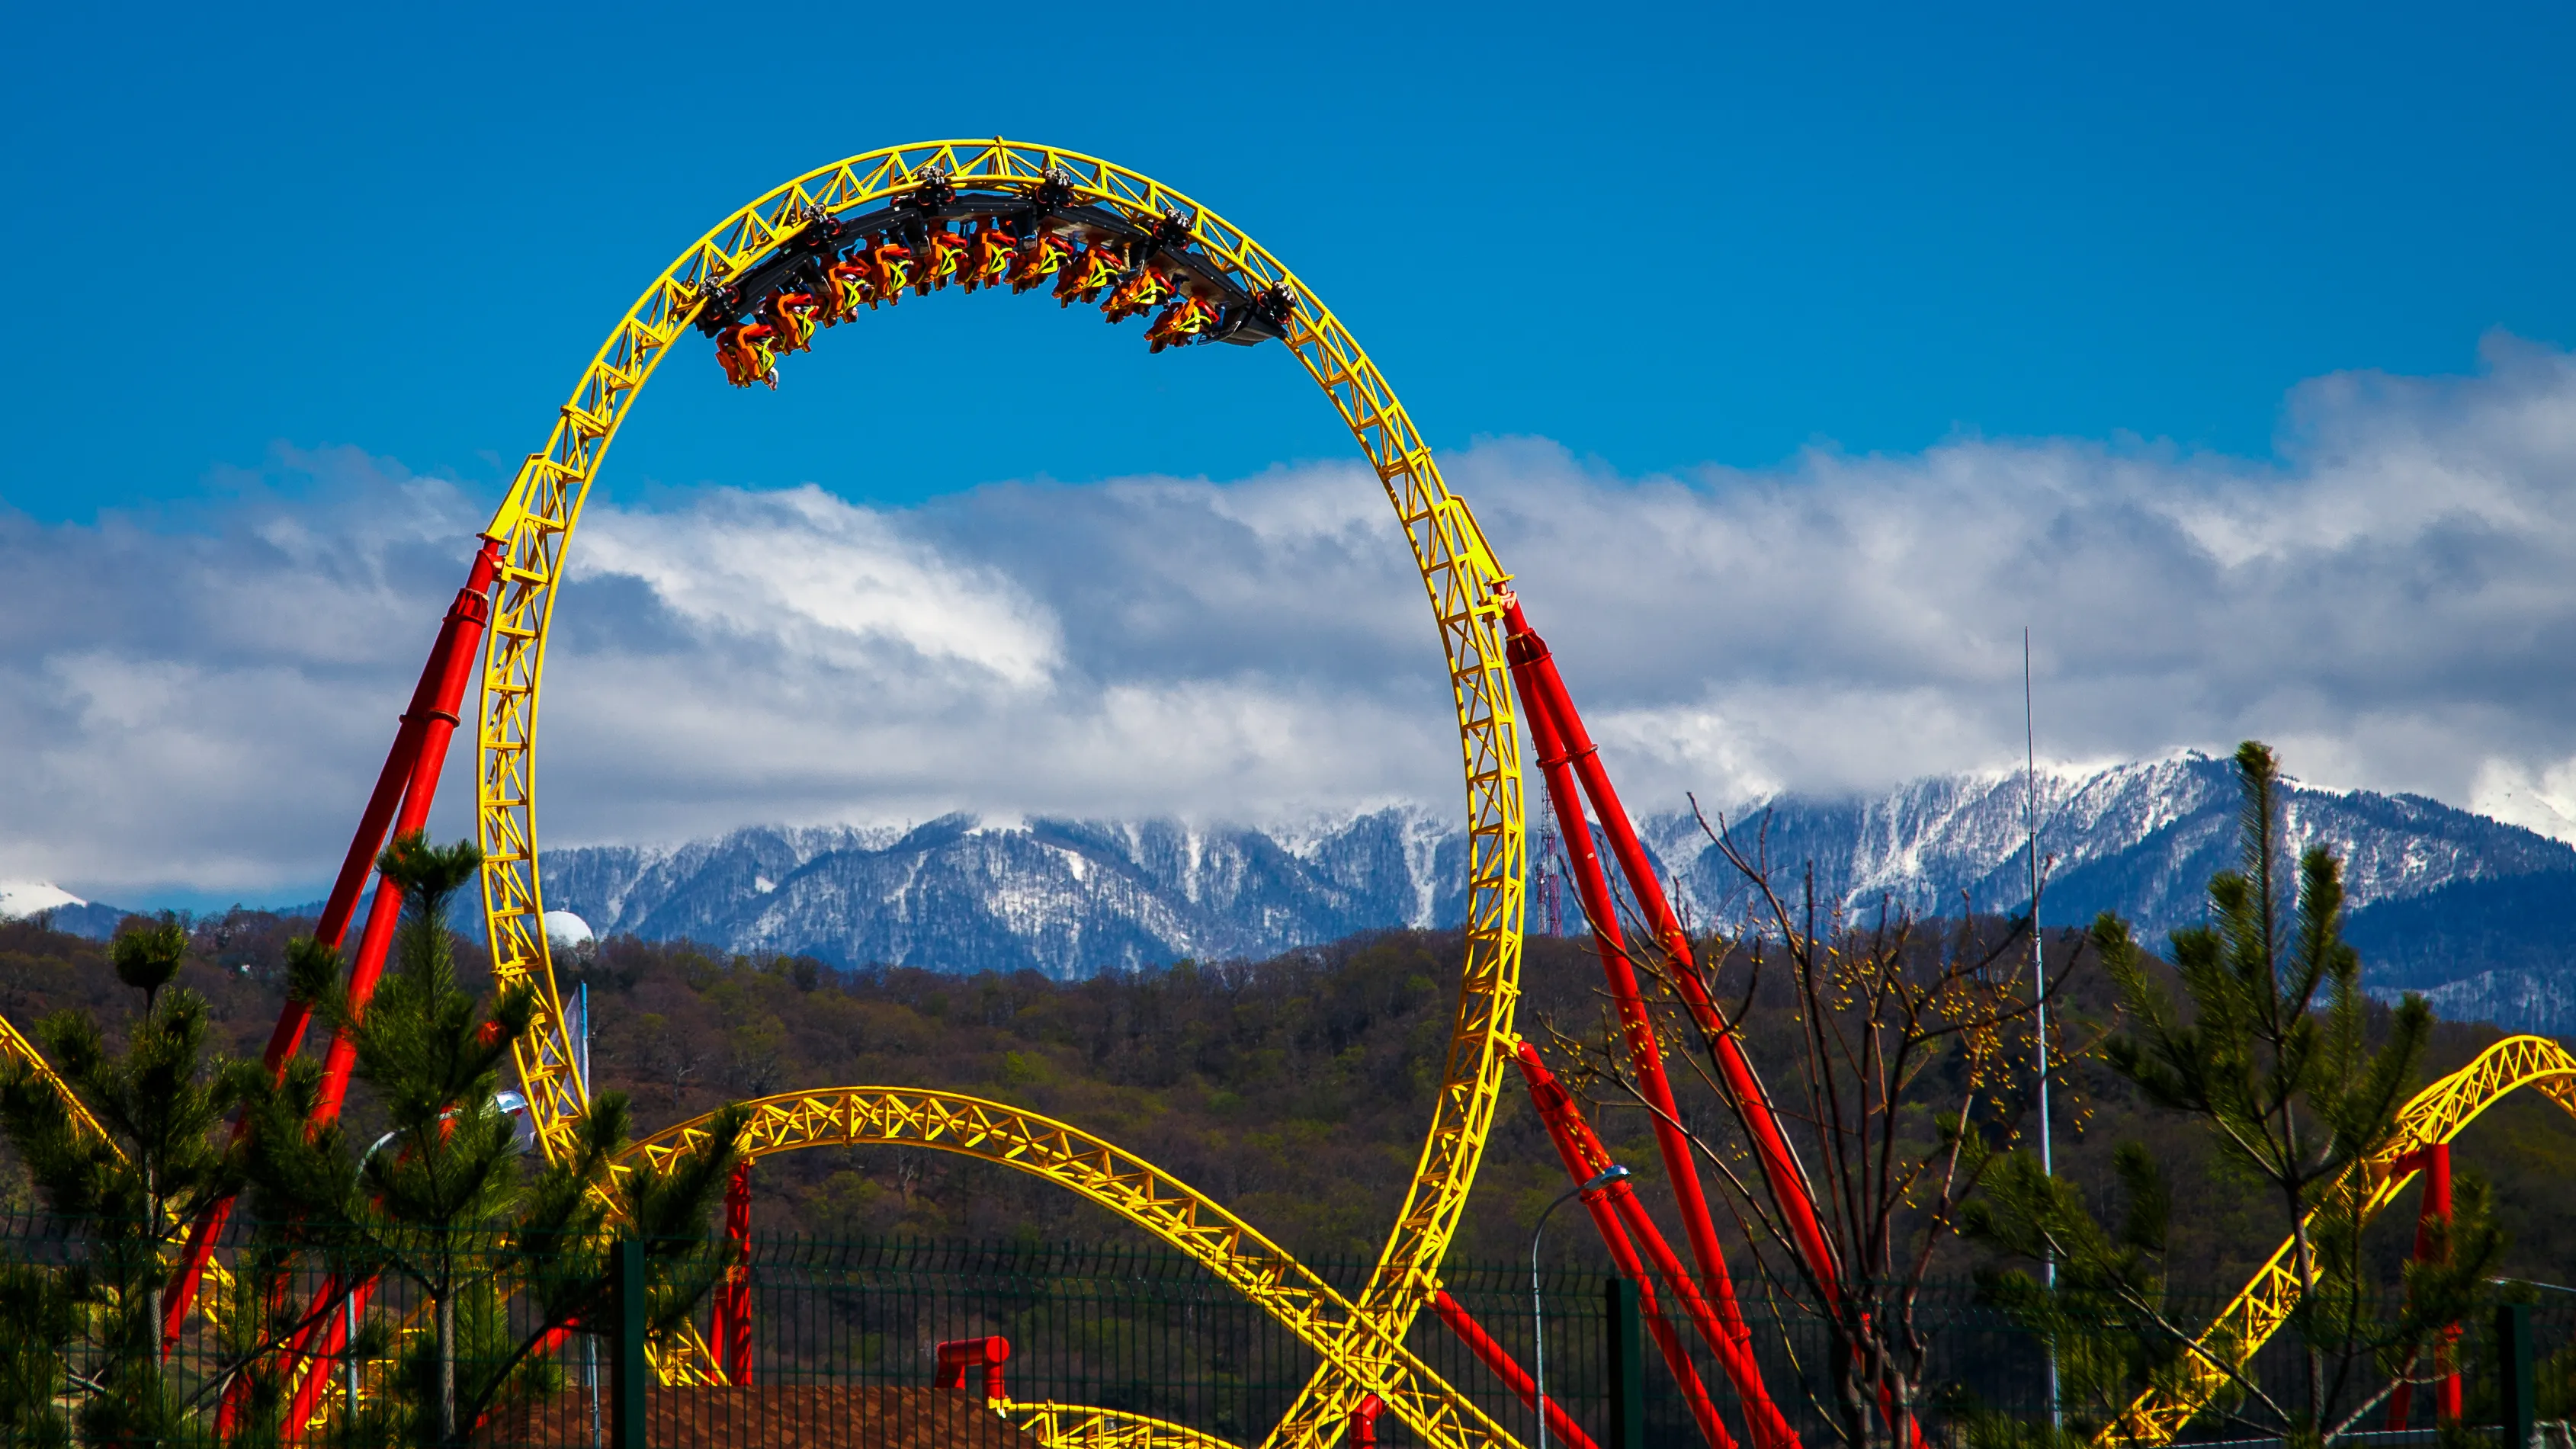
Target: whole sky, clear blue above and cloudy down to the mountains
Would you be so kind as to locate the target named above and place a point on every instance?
(1792, 362)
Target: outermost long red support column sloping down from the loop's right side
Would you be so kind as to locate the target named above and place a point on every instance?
(1544, 694)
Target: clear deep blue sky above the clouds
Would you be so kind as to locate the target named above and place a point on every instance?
(1658, 238)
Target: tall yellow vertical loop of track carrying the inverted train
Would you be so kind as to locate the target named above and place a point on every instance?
(1459, 575)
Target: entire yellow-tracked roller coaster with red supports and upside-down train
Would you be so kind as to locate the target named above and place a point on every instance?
(867, 233)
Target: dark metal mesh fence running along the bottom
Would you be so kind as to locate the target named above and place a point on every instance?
(846, 1347)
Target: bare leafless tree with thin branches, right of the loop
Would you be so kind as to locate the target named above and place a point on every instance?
(1908, 1057)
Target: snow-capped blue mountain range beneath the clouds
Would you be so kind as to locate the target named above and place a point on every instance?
(2441, 900)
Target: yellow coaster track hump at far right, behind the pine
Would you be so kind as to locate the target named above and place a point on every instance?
(2253, 1316)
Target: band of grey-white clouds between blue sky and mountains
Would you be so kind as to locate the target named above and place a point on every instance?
(202, 699)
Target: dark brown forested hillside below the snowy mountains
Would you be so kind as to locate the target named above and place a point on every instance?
(1292, 1090)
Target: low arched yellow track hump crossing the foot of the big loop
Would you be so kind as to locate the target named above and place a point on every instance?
(1372, 1352)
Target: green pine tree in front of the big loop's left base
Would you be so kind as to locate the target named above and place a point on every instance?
(447, 1195)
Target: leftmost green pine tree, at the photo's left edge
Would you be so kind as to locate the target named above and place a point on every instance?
(135, 1183)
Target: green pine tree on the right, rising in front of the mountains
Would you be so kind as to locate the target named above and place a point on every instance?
(2271, 1051)
